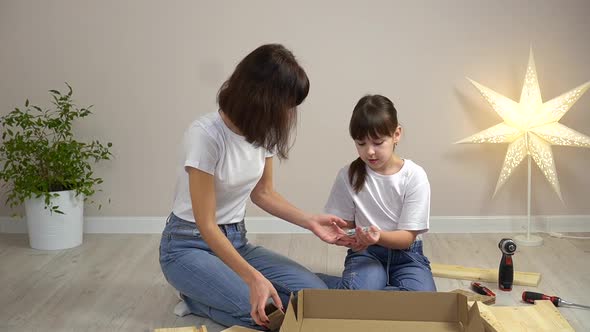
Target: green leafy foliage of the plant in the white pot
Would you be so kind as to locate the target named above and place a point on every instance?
(39, 155)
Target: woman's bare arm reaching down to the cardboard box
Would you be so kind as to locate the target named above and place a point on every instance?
(202, 190)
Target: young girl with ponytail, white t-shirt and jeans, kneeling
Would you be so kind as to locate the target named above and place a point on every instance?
(387, 198)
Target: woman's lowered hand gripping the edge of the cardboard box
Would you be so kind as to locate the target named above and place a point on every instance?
(260, 291)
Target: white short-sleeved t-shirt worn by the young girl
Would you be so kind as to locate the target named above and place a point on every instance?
(400, 201)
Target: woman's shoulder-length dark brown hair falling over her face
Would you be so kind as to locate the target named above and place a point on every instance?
(261, 97)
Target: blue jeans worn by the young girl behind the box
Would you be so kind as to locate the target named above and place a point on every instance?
(380, 268)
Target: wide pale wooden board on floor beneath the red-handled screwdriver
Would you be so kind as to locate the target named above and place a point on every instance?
(543, 316)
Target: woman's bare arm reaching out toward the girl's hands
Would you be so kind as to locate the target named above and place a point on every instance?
(326, 227)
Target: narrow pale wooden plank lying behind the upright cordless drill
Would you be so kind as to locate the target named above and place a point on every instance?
(478, 274)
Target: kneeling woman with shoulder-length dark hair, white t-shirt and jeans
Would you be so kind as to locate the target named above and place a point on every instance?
(228, 158)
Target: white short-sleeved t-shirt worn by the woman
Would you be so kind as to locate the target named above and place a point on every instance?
(236, 165)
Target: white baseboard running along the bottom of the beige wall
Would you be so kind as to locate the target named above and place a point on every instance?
(446, 224)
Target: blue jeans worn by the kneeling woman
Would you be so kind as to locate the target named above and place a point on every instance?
(209, 287)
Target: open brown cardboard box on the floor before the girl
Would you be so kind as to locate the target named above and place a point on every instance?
(344, 310)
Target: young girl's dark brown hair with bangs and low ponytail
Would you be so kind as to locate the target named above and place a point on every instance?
(373, 116)
